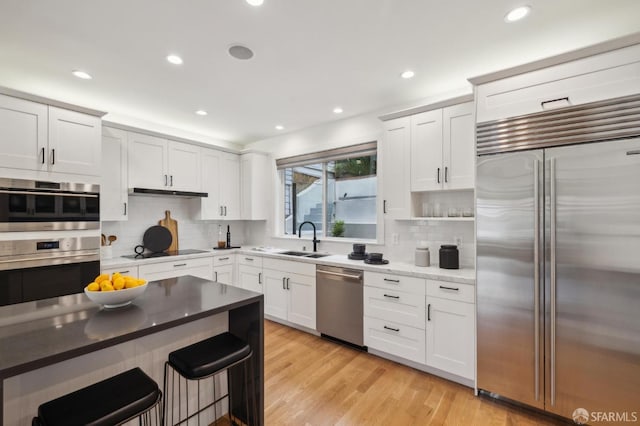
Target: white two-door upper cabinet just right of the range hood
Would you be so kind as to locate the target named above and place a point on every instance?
(221, 180)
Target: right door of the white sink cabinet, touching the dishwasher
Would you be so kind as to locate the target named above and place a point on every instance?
(302, 299)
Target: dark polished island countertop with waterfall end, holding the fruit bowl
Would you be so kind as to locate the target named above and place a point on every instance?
(38, 334)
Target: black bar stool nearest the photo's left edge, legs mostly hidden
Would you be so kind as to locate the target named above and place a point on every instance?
(113, 401)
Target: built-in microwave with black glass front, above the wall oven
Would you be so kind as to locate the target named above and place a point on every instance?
(27, 205)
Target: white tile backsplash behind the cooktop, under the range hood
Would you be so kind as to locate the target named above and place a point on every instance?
(146, 211)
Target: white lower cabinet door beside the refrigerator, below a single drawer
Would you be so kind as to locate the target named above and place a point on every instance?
(450, 336)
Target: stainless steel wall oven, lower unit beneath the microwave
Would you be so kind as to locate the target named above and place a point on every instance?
(40, 269)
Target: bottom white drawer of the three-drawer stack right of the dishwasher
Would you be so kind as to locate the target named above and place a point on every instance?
(395, 339)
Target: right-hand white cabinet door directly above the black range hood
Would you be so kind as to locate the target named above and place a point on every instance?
(184, 166)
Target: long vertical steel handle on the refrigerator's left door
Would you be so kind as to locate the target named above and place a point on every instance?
(536, 277)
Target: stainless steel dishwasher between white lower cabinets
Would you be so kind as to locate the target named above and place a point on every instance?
(339, 303)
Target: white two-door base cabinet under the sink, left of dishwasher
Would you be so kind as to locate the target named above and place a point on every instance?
(290, 291)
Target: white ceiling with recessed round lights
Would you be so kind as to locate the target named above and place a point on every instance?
(310, 55)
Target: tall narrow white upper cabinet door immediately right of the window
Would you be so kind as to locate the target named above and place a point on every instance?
(396, 168)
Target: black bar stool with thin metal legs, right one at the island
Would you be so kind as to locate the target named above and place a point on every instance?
(203, 360)
